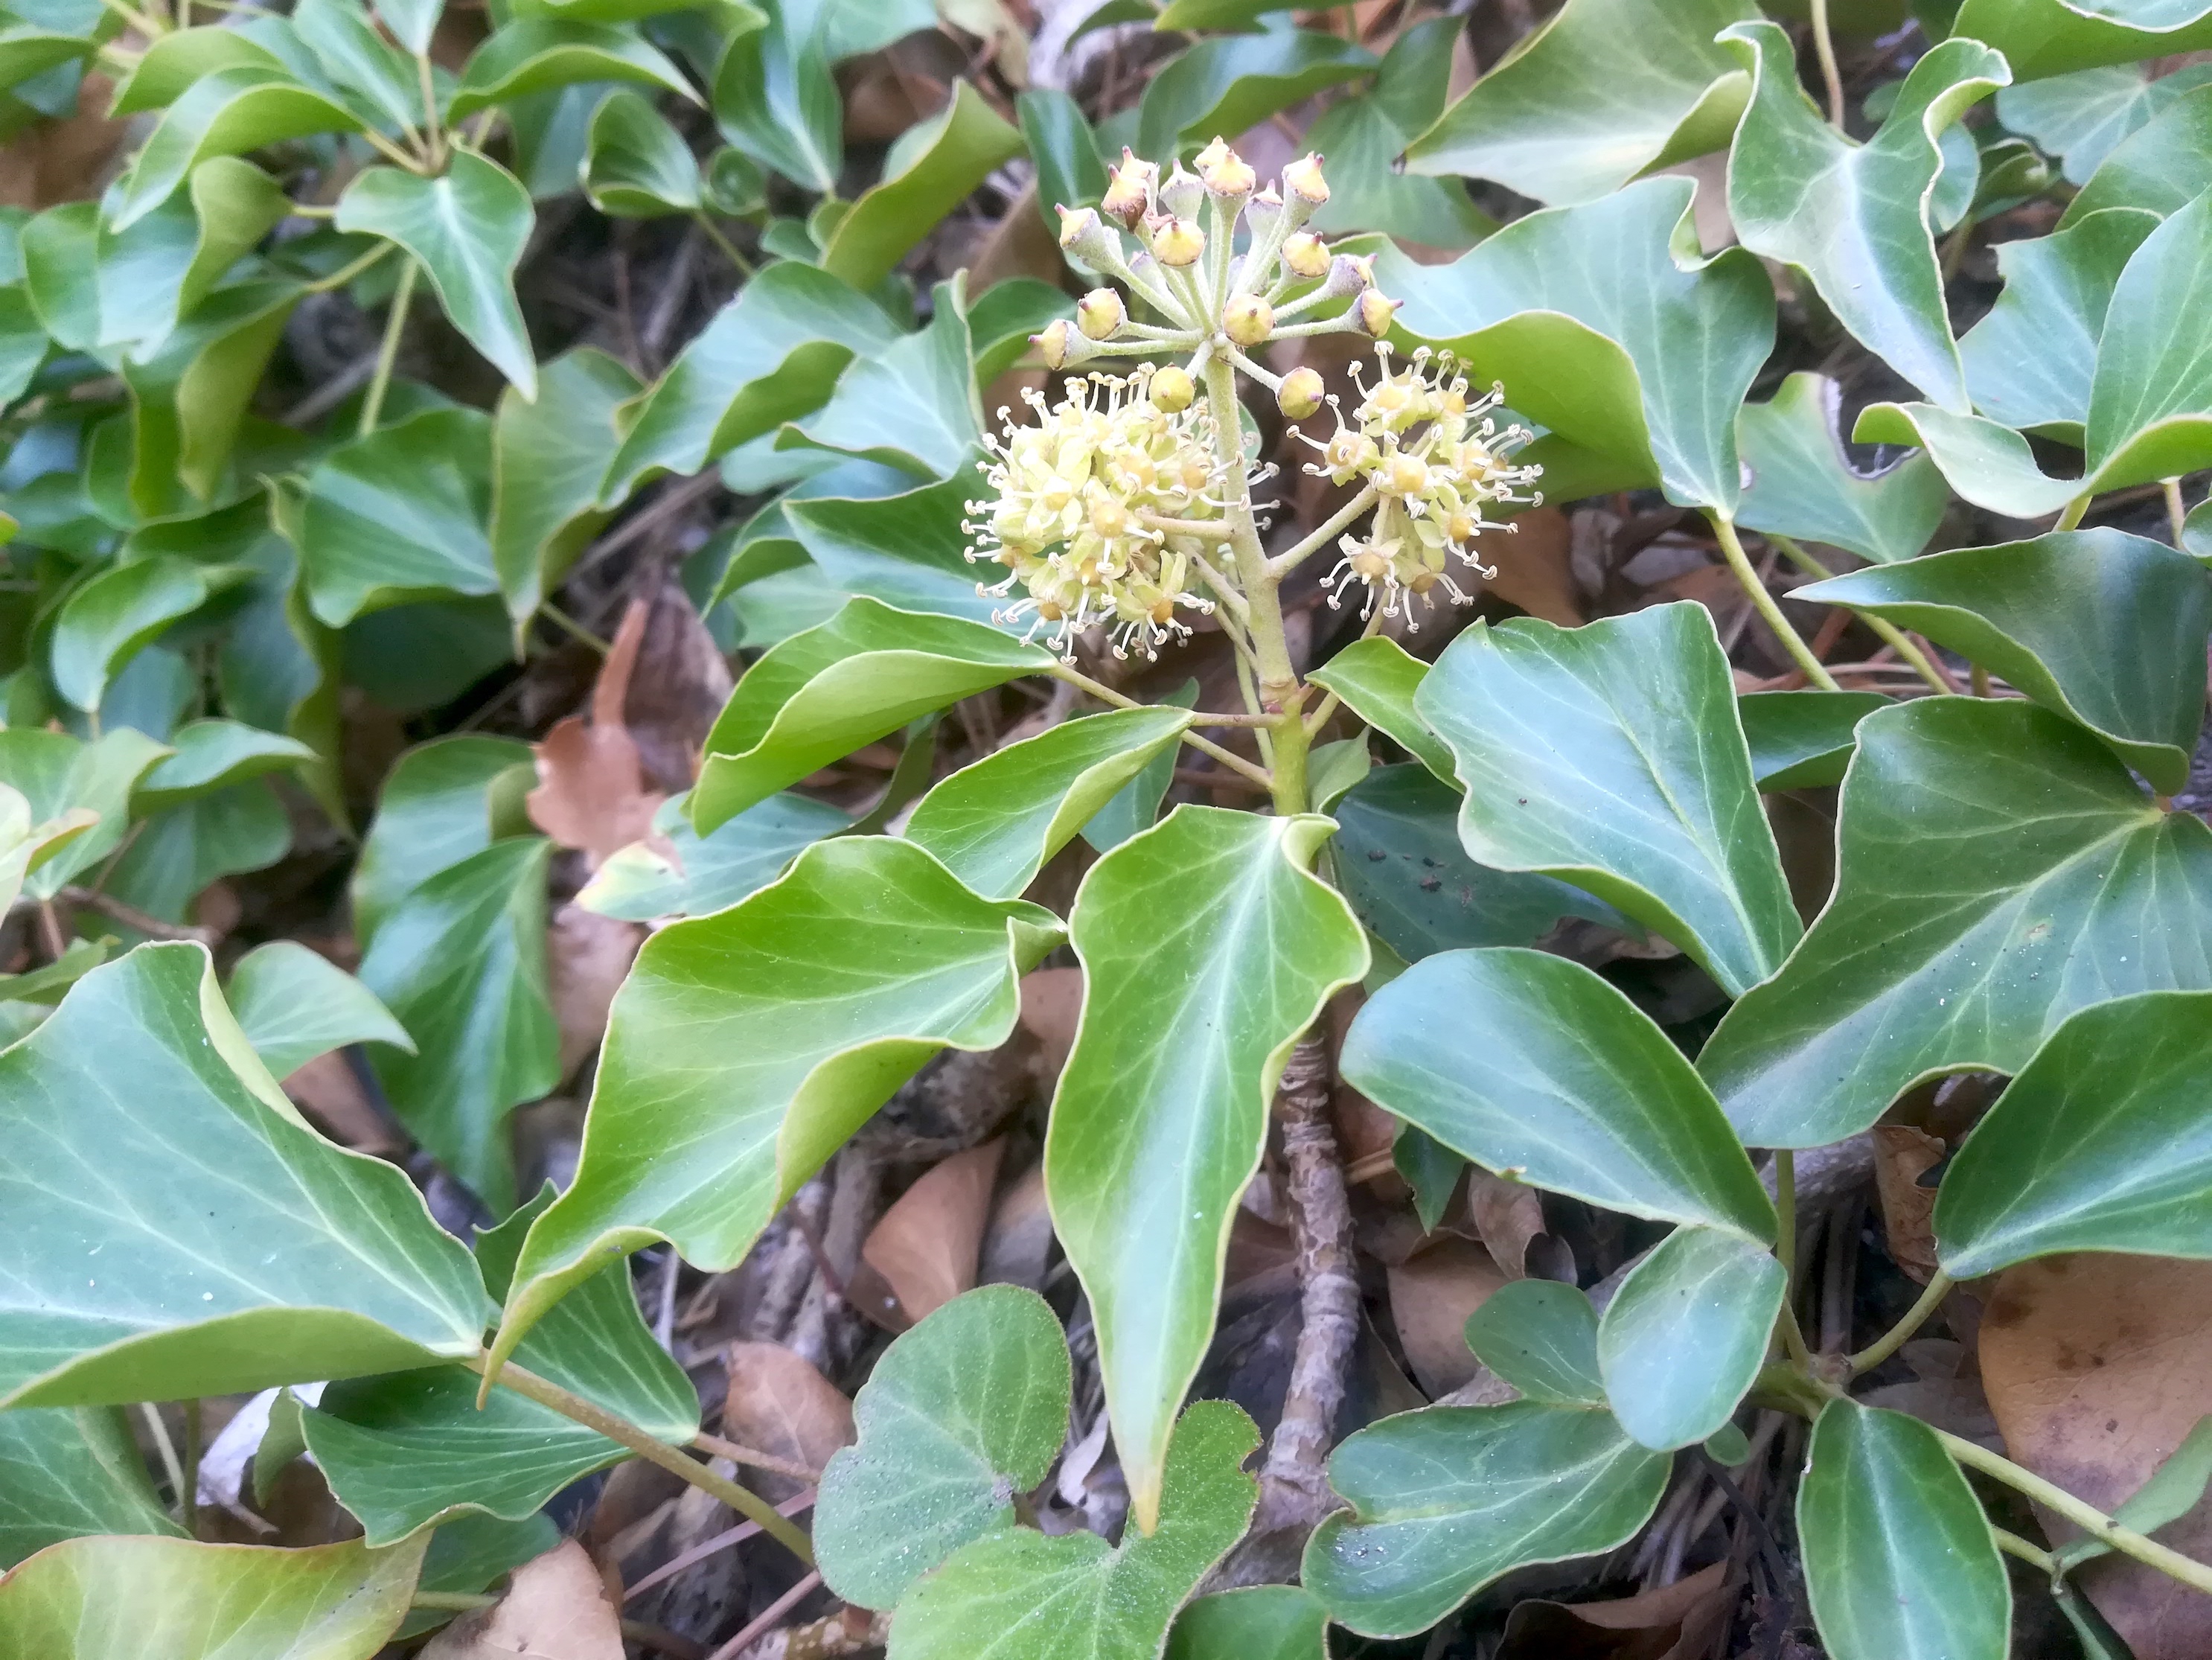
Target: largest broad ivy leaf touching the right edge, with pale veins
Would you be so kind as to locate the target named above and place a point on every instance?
(1996, 871)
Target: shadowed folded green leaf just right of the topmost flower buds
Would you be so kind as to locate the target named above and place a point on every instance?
(1366, 136)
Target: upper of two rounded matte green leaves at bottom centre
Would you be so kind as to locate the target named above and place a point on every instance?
(961, 1413)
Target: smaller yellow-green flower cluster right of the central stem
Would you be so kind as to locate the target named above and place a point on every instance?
(1434, 461)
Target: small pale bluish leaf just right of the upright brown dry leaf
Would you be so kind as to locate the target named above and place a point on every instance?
(682, 873)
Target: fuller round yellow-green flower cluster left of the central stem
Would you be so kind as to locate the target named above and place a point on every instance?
(1078, 506)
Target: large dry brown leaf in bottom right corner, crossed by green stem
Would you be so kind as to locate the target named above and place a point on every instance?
(2096, 1369)
